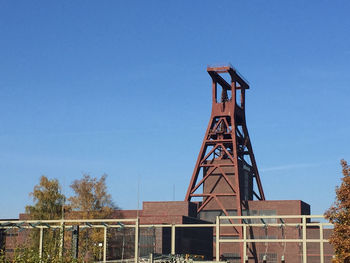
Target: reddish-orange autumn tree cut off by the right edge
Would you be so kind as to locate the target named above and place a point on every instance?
(339, 215)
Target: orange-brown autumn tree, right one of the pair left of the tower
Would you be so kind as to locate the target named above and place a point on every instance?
(91, 201)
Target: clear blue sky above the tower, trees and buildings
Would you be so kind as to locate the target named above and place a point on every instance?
(120, 87)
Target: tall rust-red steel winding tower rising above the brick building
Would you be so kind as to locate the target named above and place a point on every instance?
(226, 161)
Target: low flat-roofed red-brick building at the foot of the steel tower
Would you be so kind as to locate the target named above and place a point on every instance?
(202, 240)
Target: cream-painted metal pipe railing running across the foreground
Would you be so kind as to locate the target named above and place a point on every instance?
(301, 221)
